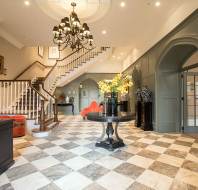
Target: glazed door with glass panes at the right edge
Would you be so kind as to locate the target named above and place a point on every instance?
(190, 102)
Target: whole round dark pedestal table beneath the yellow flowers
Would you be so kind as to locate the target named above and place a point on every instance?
(110, 142)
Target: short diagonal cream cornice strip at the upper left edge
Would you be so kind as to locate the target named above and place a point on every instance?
(5, 35)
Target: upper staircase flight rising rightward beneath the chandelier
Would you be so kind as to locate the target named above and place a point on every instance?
(72, 66)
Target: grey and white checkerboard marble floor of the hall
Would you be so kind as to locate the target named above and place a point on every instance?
(68, 160)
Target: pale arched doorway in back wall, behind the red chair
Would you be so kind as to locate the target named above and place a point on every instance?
(88, 92)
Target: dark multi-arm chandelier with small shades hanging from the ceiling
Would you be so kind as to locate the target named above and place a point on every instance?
(70, 33)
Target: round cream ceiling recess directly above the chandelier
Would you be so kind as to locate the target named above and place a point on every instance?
(87, 10)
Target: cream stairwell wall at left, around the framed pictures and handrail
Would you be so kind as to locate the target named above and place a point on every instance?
(16, 60)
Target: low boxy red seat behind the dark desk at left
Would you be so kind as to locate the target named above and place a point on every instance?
(19, 124)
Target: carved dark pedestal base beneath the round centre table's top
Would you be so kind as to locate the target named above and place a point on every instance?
(110, 143)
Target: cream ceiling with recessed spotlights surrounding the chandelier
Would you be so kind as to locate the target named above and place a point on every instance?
(139, 24)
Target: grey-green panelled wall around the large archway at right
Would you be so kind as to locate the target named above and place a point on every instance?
(146, 69)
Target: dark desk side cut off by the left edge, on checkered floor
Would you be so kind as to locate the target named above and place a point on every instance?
(6, 145)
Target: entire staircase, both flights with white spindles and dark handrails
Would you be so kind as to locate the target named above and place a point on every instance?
(34, 98)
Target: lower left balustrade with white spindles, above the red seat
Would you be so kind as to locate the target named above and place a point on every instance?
(19, 97)
